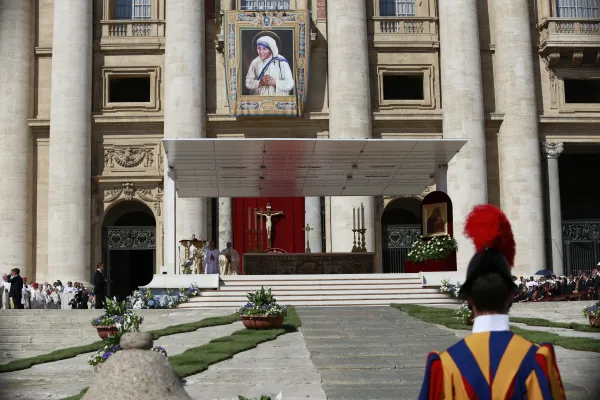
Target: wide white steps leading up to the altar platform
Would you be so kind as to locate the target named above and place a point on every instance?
(323, 290)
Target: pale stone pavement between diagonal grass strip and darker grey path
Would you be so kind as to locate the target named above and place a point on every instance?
(282, 365)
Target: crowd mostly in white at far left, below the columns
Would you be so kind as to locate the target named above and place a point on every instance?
(48, 296)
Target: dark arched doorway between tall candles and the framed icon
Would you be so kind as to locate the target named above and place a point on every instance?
(400, 223)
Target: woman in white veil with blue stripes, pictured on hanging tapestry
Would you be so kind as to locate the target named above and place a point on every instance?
(269, 73)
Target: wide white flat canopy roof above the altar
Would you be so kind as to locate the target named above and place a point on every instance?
(305, 167)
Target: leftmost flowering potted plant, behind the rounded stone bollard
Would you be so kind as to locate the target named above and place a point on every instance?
(116, 319)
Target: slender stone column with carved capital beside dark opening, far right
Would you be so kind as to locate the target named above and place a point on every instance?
(552, 152)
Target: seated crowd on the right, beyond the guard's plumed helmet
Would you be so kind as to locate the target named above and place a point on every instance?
(582, 286)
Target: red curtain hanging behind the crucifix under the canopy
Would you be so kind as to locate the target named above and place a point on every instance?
(287, 228)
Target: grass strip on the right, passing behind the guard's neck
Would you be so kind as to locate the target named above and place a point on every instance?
(445, 316)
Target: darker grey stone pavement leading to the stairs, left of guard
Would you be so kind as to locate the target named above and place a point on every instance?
(371, 352)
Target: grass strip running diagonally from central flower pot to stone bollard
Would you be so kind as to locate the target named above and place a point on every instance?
(198, 359)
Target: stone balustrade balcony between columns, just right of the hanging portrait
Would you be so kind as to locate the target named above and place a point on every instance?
(405, 32)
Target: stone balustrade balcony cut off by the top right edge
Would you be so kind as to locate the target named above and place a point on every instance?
(557, 34)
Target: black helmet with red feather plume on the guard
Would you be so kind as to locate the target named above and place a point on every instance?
(492, 235)
